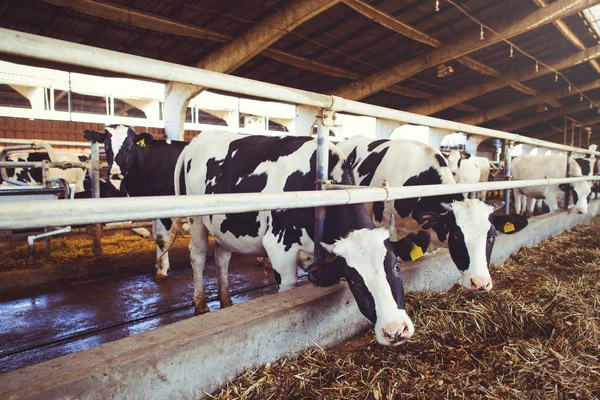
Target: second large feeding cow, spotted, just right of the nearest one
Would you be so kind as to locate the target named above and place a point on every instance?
(466, 224)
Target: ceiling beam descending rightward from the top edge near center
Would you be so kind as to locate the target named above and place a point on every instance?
(401, 27)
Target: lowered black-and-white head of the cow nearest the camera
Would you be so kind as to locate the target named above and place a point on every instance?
(365, 259)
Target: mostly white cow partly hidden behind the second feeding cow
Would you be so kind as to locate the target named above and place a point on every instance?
(468, 168)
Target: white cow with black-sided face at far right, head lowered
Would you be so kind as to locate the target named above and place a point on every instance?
(550, 166)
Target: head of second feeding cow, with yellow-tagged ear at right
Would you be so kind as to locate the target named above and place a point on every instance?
(469, 228)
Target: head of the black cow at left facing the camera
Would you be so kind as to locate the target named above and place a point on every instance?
(120, 143)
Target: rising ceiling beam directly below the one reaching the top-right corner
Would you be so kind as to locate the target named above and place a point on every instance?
(524, 74)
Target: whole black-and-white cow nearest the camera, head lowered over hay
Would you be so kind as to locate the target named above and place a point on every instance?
(219, 162)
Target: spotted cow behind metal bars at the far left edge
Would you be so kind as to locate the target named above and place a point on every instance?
(33, 176)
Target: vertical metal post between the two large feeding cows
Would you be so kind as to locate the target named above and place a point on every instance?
(322, 176)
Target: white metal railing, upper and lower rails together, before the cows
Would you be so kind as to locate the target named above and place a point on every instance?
(93, 211)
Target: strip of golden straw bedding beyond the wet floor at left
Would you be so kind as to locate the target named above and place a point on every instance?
(77, 248)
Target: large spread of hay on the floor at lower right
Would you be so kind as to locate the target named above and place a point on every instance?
(537, 335)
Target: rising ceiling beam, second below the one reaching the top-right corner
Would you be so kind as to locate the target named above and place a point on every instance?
(495, 112)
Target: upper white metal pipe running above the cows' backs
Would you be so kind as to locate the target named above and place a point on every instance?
(34, 46)
